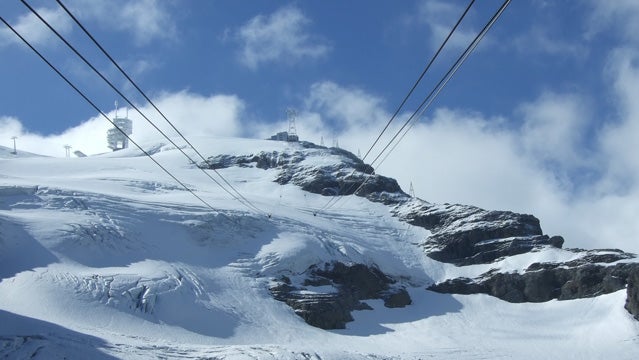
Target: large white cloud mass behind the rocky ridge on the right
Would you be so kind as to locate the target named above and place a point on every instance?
(463, 157)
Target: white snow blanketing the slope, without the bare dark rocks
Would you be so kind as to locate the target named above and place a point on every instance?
(107, 257)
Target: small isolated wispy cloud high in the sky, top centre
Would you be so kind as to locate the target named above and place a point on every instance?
(281, 36)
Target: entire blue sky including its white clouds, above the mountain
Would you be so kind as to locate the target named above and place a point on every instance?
(541, 119)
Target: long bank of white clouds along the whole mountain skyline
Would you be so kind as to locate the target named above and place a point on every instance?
(453, 155)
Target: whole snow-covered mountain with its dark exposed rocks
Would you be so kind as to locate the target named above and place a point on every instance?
(107, 257)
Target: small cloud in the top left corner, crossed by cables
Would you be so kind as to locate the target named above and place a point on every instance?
(34, 30)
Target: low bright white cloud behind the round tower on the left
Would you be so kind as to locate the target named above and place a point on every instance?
(192, 114)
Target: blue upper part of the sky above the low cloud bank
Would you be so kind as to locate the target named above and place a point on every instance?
(206, 47)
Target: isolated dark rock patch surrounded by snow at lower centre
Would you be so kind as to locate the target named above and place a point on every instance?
(326, 296)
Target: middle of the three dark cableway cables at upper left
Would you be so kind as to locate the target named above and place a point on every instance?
(241, 200)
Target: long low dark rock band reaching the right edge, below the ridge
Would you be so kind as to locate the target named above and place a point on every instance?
(542, 282)
